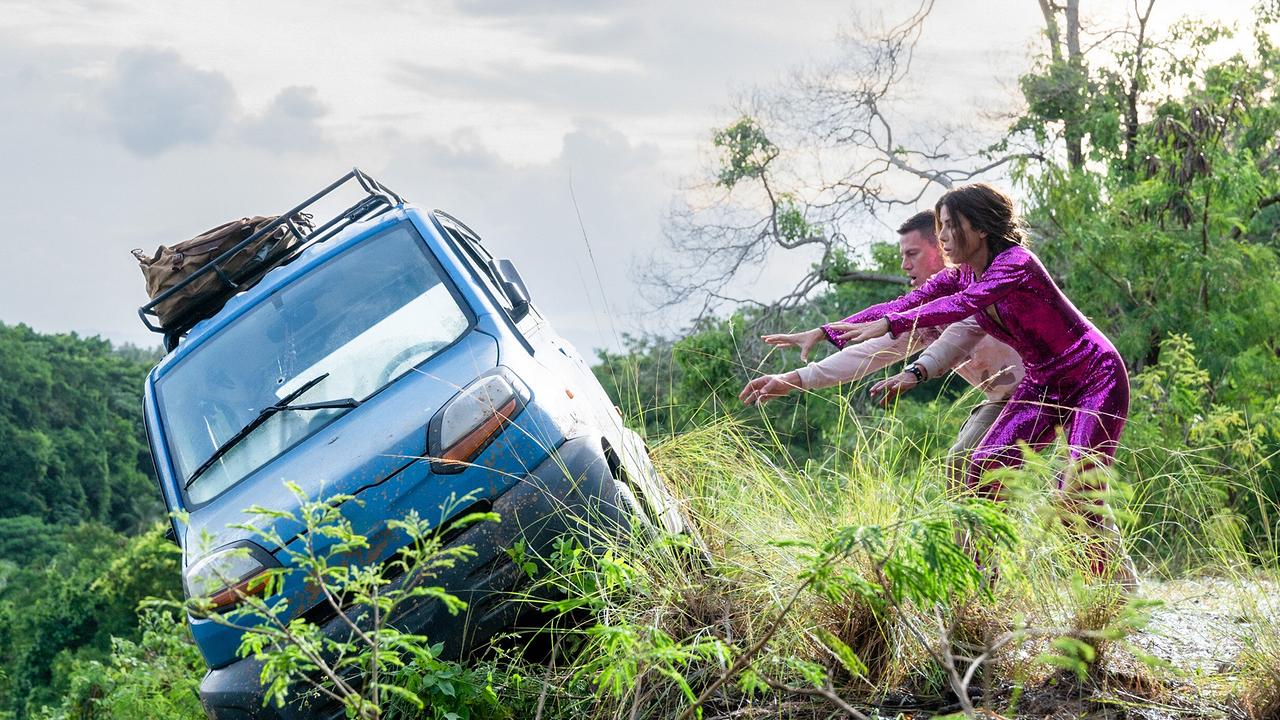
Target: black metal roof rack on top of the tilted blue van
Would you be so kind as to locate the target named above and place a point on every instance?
(378, 199)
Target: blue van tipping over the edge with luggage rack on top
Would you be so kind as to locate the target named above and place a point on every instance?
(388, 357)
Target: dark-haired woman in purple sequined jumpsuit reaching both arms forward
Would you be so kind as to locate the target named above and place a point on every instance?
(1075, 379)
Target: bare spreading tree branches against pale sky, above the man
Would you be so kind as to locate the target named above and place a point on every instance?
(844, 117)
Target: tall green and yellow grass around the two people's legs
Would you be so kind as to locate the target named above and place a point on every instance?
(751, 631)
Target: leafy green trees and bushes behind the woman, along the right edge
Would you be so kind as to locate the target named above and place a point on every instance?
(1165, 235)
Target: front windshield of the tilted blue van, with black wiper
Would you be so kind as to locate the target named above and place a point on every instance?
(363, 320)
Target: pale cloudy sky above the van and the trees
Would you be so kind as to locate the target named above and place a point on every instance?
(563, 131)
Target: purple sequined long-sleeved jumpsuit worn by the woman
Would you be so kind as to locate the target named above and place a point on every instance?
(1075, 380)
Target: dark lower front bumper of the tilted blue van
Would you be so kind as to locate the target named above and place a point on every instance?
(574, 482)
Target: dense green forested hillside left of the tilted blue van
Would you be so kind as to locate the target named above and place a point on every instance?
(80, 530)
